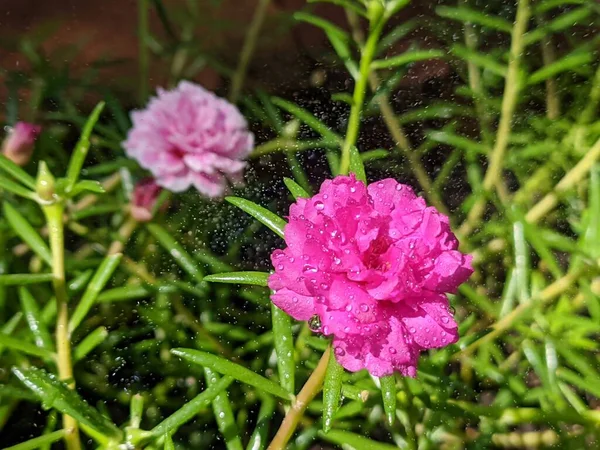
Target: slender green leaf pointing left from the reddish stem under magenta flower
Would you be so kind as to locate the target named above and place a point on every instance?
(236, 371)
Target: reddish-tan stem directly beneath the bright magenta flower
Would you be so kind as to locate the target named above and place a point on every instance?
(310, 389)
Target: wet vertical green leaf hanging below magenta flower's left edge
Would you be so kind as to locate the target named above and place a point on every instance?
(284, 348)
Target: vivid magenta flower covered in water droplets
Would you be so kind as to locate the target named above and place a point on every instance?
(370, 265)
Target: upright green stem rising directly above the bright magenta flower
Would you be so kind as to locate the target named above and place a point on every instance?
(360, 88)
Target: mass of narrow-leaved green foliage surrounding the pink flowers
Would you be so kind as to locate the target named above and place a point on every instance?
(160, 330)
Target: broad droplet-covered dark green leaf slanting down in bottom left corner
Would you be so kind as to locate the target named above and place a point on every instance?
(56, 394)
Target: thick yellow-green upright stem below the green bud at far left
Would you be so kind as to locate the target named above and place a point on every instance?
(54, 217)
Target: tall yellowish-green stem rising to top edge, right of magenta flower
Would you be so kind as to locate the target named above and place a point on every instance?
(509, 102)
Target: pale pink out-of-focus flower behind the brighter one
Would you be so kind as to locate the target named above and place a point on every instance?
(190, 137)
